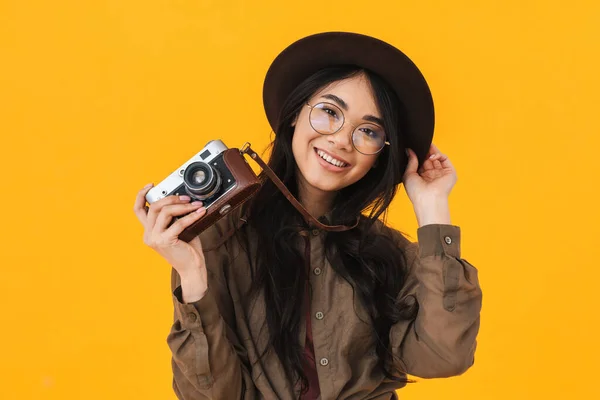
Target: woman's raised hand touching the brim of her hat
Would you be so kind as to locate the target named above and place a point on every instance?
(429, 186)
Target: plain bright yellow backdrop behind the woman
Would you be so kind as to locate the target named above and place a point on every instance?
(98, 98)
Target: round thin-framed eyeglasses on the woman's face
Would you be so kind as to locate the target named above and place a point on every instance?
(327, 119)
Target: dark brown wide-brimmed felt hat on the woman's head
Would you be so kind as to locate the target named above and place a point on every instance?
(306, 56)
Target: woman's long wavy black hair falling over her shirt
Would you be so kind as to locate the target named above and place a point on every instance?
(371, 263)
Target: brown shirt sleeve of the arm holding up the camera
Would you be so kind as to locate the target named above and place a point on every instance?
(207, 359)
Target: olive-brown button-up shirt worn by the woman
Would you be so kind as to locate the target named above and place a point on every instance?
(216, 342)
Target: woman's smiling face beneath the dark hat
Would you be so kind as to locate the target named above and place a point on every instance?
(354, 97)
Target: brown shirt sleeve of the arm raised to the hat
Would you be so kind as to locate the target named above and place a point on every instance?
(441, 340)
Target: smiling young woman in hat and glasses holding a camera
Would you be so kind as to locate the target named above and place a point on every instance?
(267, 306)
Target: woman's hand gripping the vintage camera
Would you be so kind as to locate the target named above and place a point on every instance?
(186, 258)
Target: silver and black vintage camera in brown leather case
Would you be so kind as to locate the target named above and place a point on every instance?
(218, 176)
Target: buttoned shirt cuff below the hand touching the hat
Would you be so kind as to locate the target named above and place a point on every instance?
(439, 240)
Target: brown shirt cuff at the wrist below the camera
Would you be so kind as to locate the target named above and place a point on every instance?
(201, 313)
